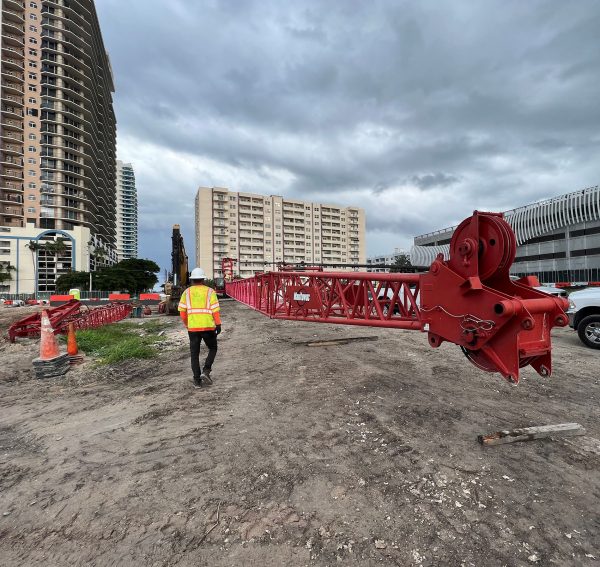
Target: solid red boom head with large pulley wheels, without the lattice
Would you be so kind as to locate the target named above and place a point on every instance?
(501, 325)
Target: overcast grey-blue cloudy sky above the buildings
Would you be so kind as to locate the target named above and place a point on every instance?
(419, 112)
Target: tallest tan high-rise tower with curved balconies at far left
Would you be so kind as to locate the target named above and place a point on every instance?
(58, 128)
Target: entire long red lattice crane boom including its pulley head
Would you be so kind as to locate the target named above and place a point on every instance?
(470, 300)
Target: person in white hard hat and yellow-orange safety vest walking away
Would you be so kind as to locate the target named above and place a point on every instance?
(199, 309)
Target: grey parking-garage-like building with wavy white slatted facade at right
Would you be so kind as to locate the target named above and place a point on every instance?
(558, 239)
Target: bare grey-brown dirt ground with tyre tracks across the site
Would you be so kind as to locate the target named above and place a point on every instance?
(357, 454)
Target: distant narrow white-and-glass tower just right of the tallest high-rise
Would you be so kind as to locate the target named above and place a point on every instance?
(127, 222)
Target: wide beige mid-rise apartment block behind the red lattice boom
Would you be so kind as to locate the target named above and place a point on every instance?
(262, 231)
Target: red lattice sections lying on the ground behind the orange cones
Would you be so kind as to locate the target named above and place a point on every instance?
(74, 312)
